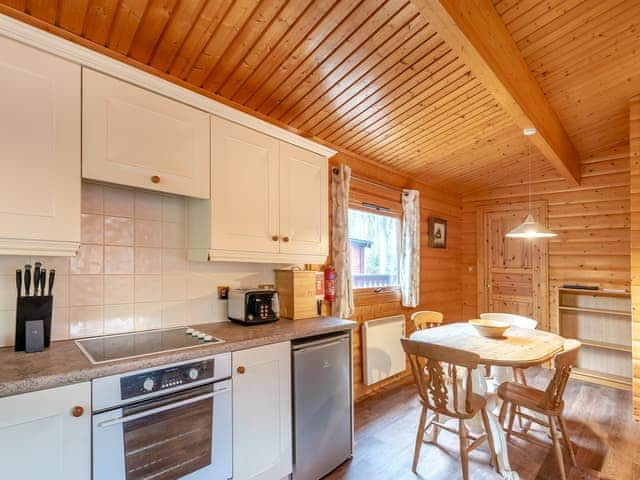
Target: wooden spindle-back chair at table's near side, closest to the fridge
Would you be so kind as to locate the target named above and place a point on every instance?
(447, 396)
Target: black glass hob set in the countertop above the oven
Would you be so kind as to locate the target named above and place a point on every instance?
(110, 348)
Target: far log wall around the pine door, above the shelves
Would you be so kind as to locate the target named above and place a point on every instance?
(592, 222)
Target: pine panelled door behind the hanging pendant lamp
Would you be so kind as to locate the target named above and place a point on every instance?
(512, 271)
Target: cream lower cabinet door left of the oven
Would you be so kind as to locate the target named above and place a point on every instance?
(41, 438)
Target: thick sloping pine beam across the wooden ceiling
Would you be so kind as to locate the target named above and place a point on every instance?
(475, 32)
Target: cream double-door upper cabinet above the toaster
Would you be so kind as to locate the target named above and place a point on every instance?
(268, 200)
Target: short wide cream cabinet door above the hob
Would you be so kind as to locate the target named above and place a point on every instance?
(135, 137)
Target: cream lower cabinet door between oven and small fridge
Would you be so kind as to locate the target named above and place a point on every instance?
(262, 413)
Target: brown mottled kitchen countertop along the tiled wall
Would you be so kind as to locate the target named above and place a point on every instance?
(63, 363)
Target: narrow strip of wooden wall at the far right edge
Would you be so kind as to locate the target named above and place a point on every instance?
(634, 157)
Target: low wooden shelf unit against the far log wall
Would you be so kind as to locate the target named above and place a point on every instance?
(602, 322)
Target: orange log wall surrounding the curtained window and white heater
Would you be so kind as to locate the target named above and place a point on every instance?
(440, 287)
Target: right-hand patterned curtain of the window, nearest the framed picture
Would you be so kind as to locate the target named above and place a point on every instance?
(410, 254)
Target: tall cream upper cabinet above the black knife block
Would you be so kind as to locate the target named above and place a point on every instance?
(39, 152)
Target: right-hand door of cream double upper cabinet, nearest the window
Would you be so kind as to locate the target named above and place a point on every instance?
(304, 204)
